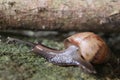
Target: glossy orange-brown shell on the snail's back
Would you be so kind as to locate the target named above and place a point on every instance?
(92, 48)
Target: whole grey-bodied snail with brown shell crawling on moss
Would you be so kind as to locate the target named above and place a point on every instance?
(81, 49)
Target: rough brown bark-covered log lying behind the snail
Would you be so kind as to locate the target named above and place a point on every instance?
(61, 15)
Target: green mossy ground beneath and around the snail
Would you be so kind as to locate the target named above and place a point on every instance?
(18, 63)
